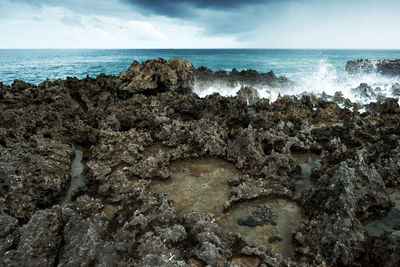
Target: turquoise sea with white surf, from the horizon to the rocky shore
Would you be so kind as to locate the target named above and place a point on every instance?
(313, 70)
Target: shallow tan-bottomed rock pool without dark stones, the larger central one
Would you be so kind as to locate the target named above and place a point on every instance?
(197, 184)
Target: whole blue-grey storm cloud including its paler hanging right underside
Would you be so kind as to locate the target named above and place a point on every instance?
(215, 17)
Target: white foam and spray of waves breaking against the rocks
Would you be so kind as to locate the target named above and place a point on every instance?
(325, 79)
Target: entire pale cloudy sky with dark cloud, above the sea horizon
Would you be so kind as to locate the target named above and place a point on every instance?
(199, 24)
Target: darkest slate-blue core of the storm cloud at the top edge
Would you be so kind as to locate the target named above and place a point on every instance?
(182, 8)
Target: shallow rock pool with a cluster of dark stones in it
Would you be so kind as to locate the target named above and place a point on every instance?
(275, 231)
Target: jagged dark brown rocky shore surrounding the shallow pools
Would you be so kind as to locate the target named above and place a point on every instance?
(116, 220)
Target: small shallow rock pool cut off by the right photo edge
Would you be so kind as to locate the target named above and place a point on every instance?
(380, 225)
